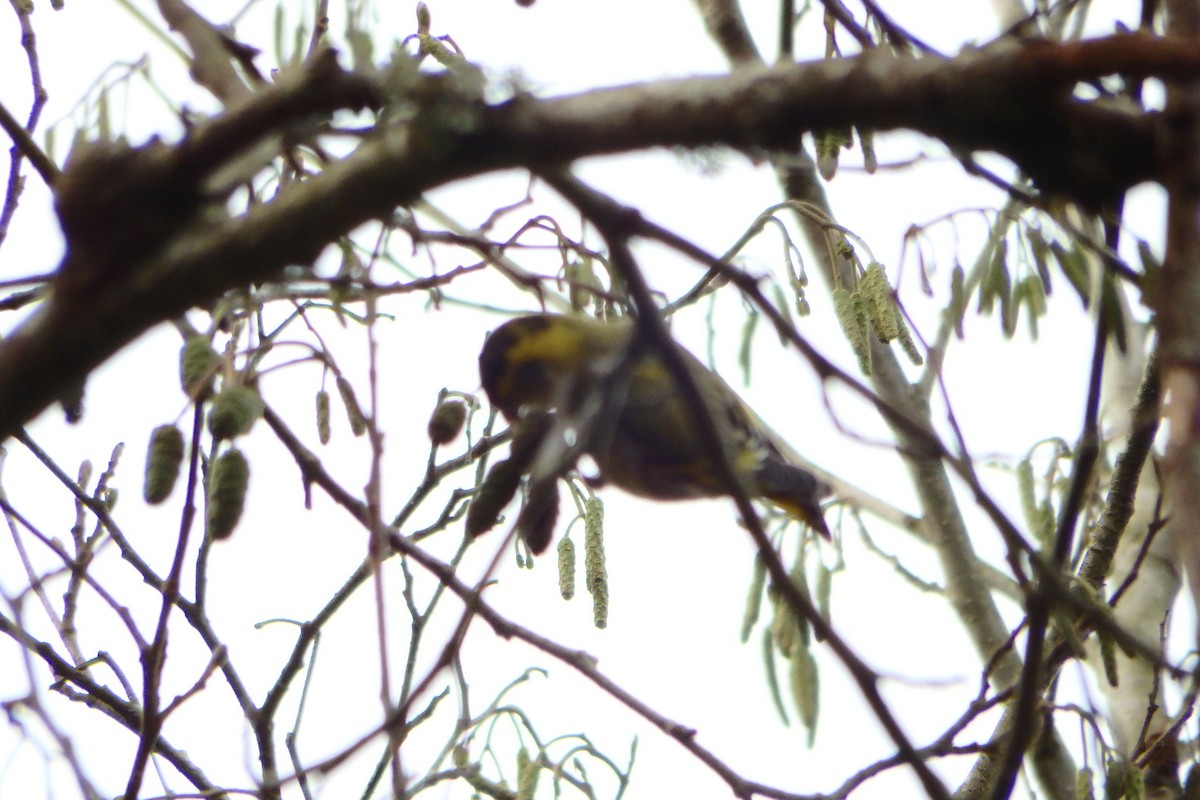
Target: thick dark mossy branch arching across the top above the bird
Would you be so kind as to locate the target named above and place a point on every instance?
(145, 246)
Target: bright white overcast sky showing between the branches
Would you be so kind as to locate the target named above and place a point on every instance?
(679, 573)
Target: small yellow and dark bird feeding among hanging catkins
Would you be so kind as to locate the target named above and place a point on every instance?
(647, 443)
